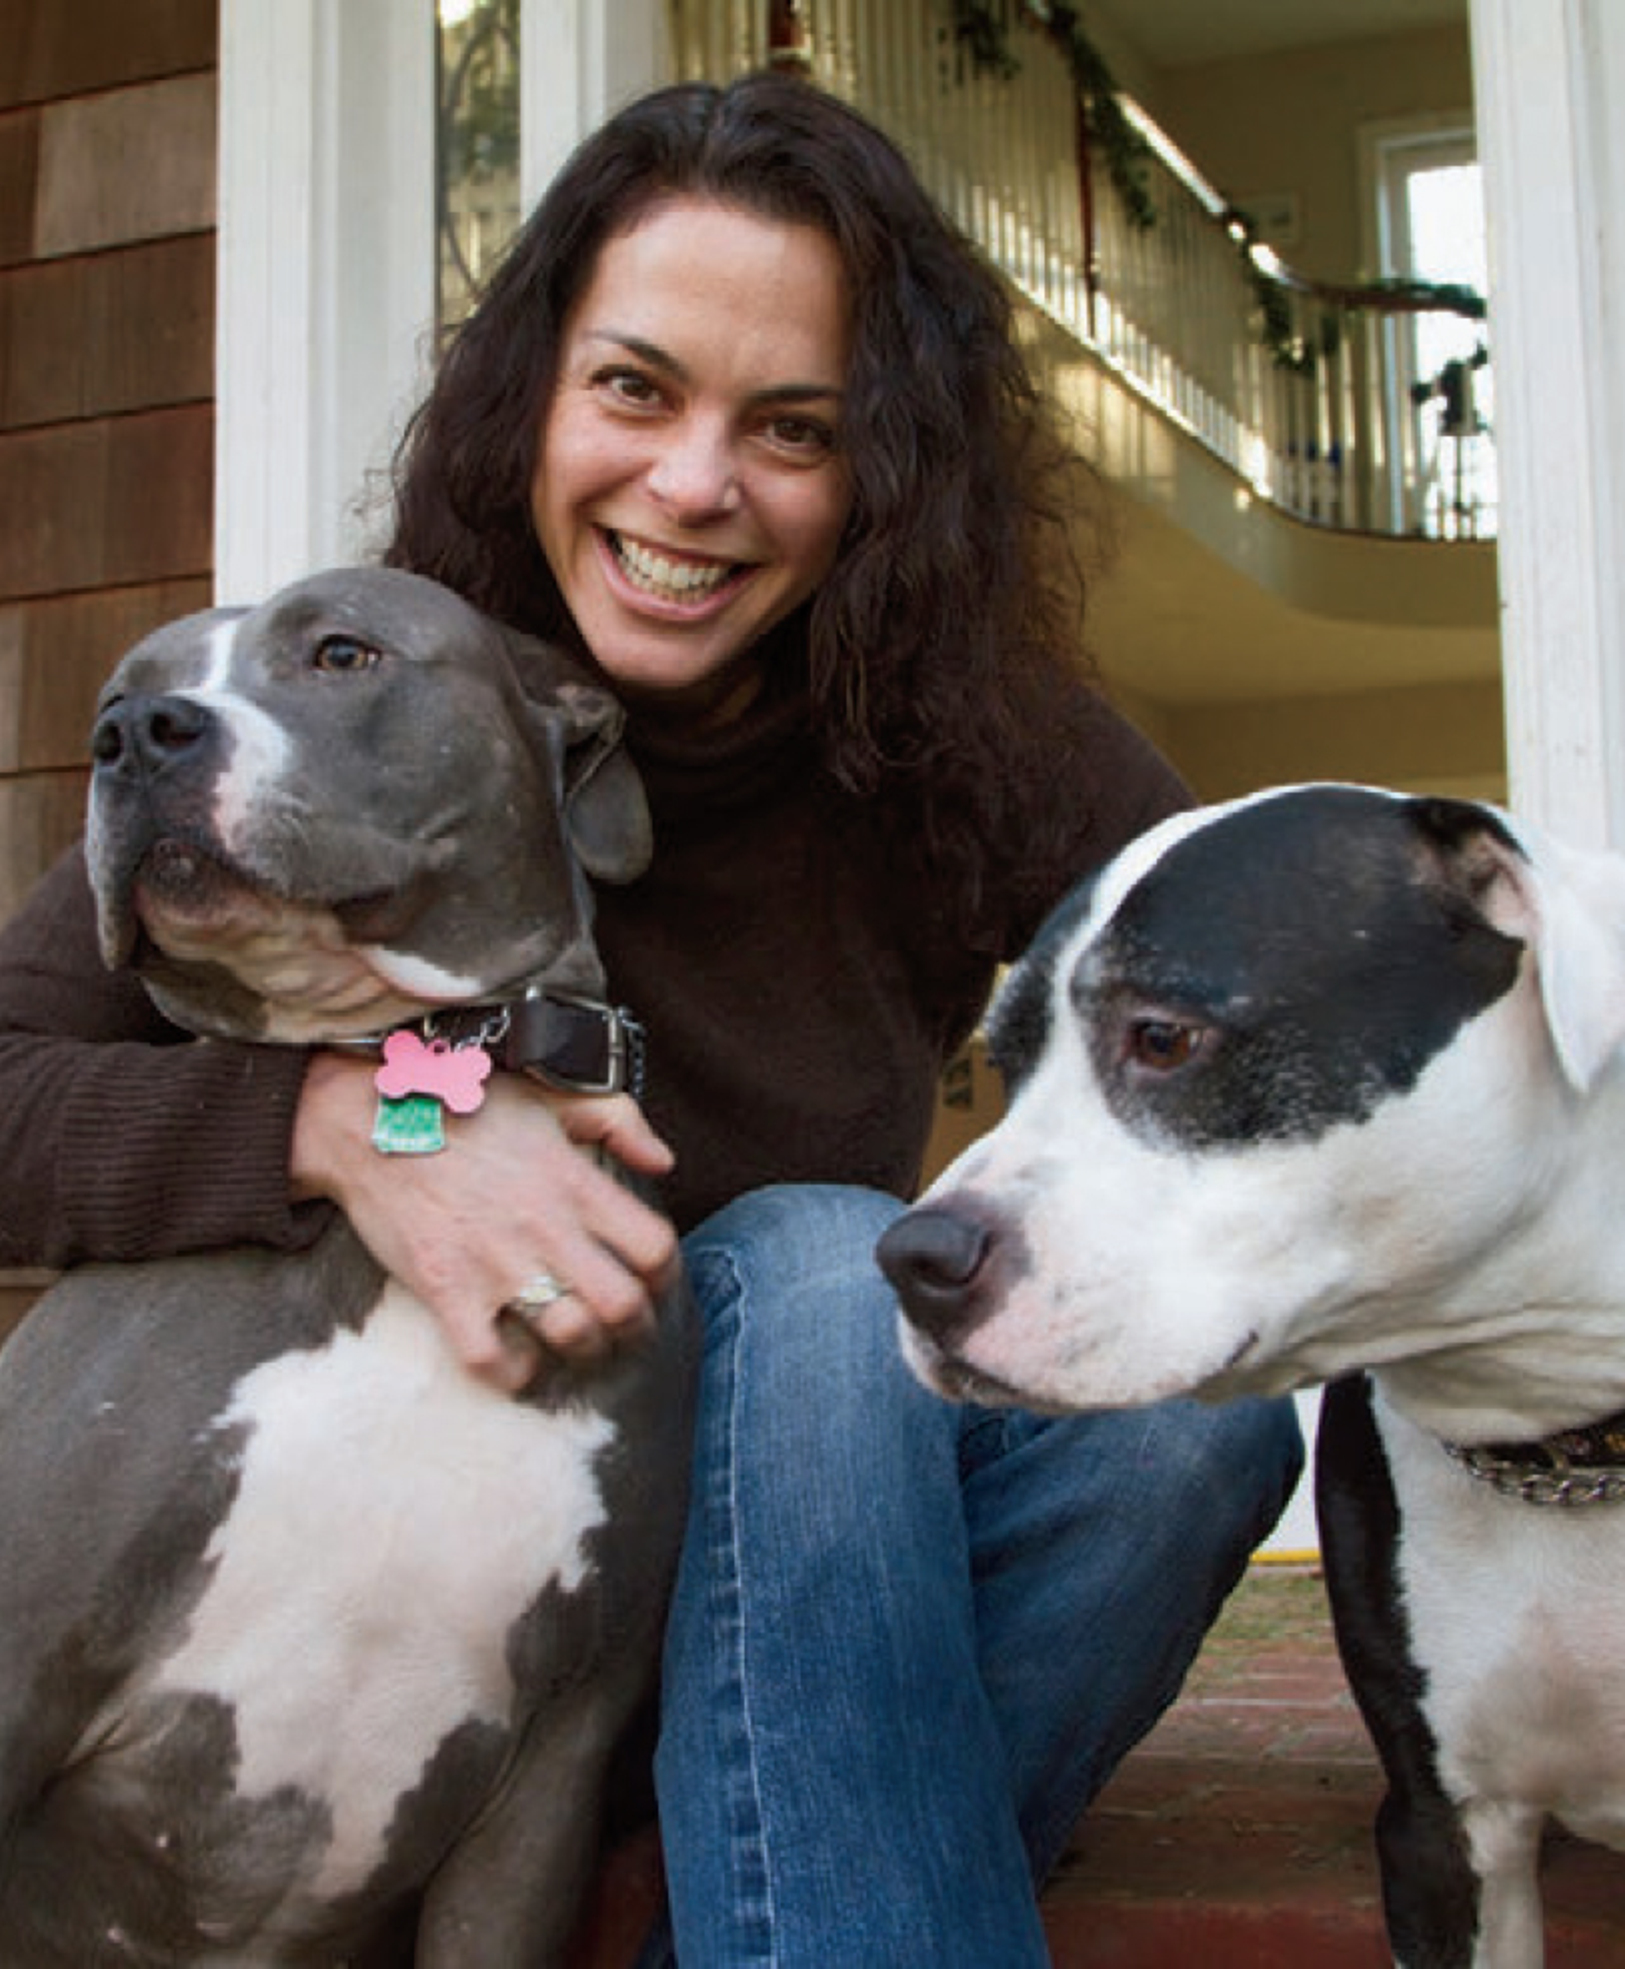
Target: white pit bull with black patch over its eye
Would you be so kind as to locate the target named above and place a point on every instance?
(1317, 1084)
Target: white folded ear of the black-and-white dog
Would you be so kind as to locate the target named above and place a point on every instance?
(1577, 903)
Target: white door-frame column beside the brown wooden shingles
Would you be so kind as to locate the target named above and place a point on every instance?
(326, 273)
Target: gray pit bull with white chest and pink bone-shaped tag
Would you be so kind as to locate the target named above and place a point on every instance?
(302, 1627)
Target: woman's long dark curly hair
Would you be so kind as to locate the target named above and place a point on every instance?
(954, 607)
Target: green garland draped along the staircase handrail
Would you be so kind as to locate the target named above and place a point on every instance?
(984, 31)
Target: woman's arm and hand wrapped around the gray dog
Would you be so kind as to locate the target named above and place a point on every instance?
(127, 1139)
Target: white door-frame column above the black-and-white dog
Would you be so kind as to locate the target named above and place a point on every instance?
(1549, 80)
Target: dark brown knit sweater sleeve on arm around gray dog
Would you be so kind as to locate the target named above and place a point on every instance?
(125, 1137)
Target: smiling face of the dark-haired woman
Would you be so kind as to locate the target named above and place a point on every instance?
(690, 487)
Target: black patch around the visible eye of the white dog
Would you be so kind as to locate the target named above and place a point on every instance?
(1291, 966)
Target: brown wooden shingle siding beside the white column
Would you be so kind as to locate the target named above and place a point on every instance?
(107, 381)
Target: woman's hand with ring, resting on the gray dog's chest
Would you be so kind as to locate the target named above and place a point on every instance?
(511, 1198)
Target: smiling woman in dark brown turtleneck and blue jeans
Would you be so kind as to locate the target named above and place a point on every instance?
(744, 420)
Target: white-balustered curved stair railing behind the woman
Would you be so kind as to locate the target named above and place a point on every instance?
(1317, 397)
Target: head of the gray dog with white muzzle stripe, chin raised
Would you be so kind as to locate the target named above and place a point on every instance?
(363, 798)
